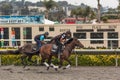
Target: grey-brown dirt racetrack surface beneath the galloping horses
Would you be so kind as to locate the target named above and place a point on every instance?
(74, 73)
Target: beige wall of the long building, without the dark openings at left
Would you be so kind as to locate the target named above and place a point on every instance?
(86, 32)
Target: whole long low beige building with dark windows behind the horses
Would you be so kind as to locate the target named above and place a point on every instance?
(91, 35)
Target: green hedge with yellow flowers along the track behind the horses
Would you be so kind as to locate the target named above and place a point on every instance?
(83, 60)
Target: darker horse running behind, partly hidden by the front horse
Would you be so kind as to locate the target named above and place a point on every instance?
(26, 51)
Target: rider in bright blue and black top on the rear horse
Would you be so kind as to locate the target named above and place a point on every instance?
(39, 38)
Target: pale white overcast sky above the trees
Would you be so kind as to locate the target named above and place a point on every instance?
(92, 3)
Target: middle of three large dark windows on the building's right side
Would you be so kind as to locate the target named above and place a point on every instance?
(96, 36)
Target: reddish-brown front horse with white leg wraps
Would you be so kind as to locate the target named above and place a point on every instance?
(46, 53)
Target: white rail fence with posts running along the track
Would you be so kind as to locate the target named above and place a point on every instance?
(110, 51)
